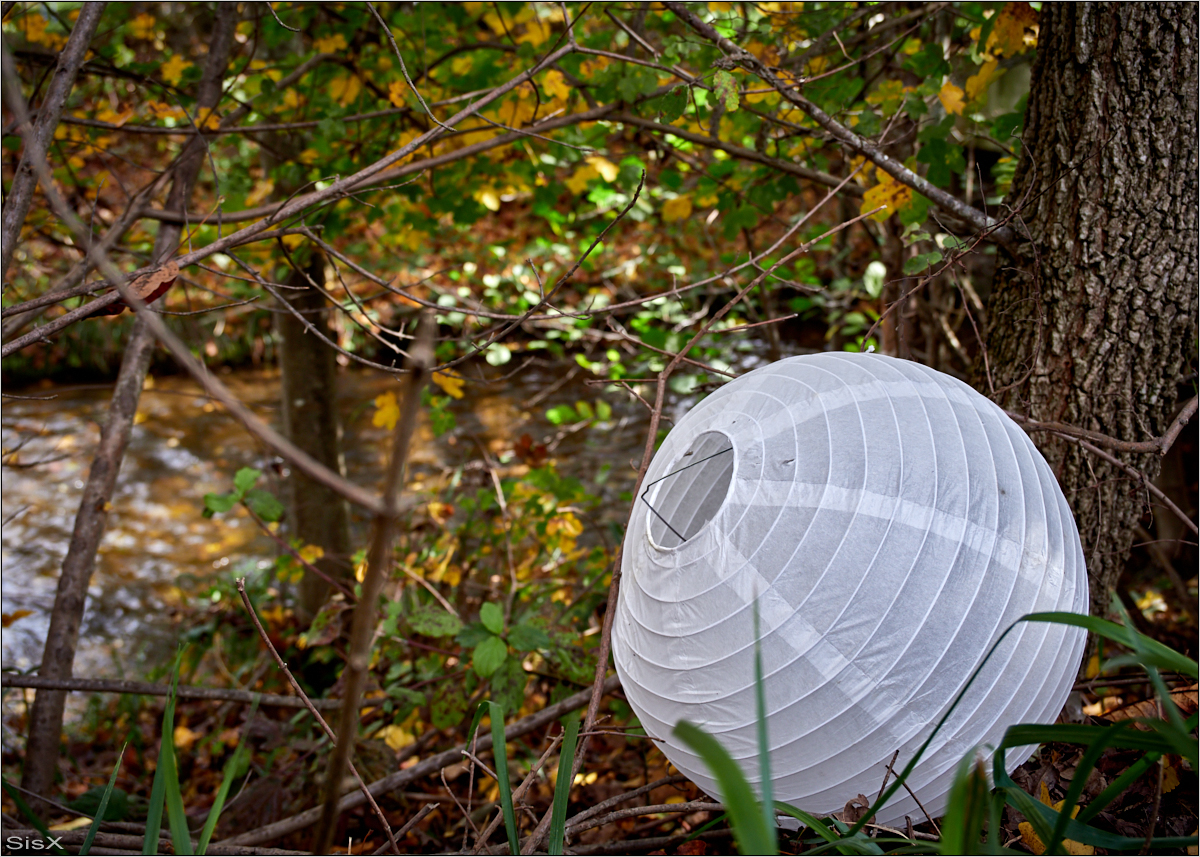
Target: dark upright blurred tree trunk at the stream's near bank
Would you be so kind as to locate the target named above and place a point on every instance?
(320, 516)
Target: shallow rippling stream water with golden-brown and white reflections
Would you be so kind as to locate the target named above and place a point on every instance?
(159, 550)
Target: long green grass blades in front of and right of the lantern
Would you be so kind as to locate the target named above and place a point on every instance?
(976, 806)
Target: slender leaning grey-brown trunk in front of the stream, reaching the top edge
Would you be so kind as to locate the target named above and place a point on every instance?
(67, 616)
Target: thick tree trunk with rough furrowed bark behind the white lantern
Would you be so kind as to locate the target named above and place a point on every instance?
(1095, 322)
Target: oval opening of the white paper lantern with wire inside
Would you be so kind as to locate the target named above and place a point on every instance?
(693, 492)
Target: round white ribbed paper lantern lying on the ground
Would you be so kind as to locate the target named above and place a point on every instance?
(891, 523)
